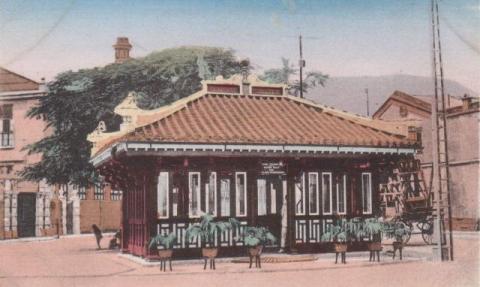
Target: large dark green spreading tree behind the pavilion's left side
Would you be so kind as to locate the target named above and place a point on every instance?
(77, 101)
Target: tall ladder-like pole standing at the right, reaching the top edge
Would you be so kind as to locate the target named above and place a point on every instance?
(443, 237)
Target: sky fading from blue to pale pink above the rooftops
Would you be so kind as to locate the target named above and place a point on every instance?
(41, 38)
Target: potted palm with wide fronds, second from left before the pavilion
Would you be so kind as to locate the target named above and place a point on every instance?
(207, 231)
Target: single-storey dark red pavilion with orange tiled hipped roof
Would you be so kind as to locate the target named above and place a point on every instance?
(244, 148)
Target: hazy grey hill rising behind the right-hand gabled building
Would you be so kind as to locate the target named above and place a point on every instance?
(348, 93)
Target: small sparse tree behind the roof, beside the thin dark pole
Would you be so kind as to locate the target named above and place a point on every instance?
(284, 74)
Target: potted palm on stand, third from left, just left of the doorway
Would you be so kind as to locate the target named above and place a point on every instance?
(255, 238)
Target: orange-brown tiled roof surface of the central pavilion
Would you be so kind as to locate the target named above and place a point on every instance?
(247, 119)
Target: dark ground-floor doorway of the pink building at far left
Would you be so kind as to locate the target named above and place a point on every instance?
(26, 214)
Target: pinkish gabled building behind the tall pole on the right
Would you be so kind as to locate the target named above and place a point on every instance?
(463, 147)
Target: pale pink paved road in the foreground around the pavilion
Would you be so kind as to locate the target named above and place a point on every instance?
(76, 262)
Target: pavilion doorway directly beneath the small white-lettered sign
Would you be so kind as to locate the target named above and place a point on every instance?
(270, 192)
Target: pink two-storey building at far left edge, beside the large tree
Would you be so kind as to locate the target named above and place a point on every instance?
(25, 206)
